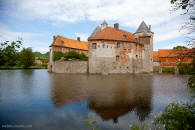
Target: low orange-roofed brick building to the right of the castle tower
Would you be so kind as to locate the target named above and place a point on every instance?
(170, 58)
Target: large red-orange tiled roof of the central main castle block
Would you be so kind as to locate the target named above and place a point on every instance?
(110, 33)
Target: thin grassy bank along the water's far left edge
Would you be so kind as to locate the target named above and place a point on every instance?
(20, 67)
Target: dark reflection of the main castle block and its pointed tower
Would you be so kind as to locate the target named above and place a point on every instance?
(121, 96)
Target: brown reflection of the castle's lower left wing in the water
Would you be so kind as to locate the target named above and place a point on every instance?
(68, 89)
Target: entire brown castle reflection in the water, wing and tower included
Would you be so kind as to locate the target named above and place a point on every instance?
(109, 96)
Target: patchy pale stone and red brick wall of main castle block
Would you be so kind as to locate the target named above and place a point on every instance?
(102, 60)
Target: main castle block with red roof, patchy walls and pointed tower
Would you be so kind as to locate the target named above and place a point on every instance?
(112, 50)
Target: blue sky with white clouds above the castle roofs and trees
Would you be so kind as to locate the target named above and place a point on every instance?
(37, 21)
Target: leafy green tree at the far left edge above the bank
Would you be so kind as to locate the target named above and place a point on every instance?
(8, 53)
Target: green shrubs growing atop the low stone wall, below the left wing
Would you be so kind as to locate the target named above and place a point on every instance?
(72, 55)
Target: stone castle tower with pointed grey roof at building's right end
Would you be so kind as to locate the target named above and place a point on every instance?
(145, 36)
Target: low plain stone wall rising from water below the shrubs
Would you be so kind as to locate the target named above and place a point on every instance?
(74, 67)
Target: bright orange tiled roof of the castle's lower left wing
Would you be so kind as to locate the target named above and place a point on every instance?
(70, 43)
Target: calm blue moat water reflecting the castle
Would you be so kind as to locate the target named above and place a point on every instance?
(45, 100)
